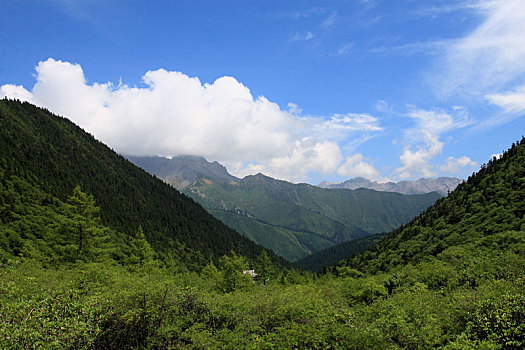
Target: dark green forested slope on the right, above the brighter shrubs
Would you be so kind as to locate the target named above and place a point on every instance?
(485, 212)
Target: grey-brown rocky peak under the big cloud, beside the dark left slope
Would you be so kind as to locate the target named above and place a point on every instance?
(181, 171)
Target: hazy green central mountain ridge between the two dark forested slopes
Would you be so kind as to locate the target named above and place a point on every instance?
(315, 217)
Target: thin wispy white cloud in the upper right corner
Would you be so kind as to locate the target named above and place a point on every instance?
(490, 57)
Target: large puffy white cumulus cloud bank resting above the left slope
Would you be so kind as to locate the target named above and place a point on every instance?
(177, 114)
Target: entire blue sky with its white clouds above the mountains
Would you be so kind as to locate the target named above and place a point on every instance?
(299, 90)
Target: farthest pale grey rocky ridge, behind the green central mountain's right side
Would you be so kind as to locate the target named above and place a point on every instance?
(442, 185)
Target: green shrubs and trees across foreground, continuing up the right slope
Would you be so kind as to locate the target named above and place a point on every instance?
(70, 281)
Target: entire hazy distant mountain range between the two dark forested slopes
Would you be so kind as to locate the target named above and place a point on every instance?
(293, 220)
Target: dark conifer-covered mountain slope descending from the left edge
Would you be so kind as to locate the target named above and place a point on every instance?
(53, 155)
